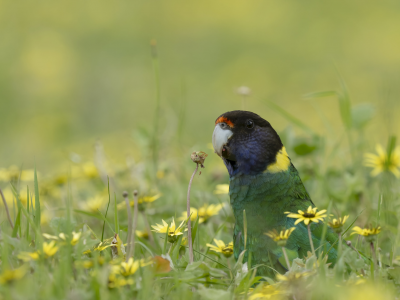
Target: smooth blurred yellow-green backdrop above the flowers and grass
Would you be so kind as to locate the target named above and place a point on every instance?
(72, 72)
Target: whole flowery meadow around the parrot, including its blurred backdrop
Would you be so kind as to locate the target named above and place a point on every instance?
(106, 99)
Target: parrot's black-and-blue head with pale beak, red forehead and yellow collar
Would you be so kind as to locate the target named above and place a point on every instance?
(248, 144)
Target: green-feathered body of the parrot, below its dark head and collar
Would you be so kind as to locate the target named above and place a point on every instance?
(265, 198)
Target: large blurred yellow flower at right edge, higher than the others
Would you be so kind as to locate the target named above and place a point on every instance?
(380, 162)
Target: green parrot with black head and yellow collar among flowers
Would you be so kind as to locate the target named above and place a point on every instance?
(263, 185)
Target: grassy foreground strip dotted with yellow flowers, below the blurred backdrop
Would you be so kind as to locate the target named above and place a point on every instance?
(67, 234)
